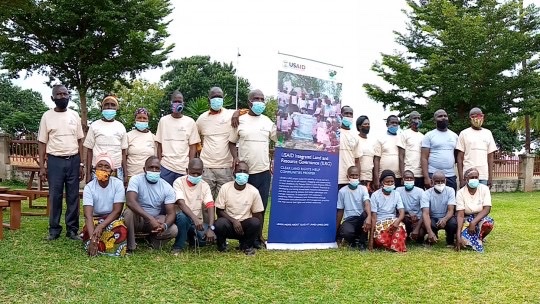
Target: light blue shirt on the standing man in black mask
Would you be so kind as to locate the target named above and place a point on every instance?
(441, 151)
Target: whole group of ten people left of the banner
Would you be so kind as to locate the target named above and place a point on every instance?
(171, 189)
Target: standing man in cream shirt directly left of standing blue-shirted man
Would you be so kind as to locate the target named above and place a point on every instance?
(410, 146)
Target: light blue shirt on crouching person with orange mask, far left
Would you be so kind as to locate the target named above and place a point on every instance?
(102, 199)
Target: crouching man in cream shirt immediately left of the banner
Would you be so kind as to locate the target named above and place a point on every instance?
(239, 208)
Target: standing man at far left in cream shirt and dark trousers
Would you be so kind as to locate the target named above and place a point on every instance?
(60, 137)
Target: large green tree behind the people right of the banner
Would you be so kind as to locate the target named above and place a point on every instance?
(459, 55)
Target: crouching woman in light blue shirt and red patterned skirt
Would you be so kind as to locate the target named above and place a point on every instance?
(388, 231)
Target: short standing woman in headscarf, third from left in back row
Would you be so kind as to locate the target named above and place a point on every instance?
(141, 143)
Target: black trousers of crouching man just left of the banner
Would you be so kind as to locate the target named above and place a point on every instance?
(224, 229)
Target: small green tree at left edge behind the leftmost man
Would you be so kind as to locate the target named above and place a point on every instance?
(20, 110)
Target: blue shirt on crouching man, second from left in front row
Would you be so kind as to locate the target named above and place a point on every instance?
(152, 197)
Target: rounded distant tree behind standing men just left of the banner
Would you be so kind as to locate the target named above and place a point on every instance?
(194, 76)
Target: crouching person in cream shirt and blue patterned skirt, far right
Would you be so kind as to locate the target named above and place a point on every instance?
(473, 205)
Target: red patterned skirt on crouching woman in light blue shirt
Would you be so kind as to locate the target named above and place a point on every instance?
(384, 238)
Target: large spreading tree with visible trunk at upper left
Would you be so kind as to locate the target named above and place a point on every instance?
(86, 44)
